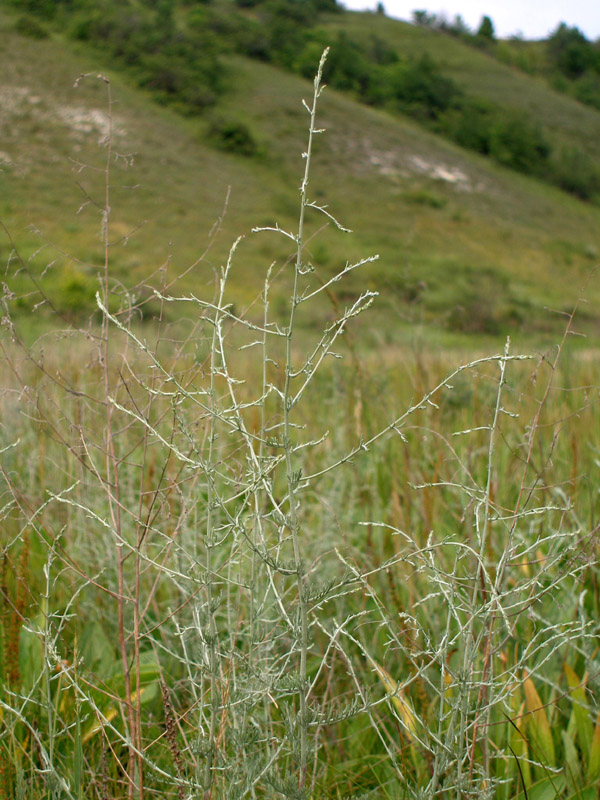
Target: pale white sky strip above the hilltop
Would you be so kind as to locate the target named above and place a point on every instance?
(535, 19)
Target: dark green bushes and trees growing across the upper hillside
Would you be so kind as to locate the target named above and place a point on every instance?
(174, 50)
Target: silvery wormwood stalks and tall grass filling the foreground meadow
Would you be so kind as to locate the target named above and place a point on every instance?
(180, 618)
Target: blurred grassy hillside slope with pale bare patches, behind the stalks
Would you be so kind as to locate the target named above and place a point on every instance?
(464, 244)
